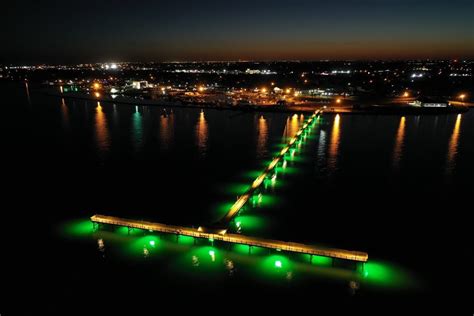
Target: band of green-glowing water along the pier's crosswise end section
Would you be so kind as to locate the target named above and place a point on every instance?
(219, 261)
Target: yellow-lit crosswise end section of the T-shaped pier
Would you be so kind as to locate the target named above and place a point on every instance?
(233, 238)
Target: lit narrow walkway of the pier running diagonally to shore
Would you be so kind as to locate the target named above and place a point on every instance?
(243, 199)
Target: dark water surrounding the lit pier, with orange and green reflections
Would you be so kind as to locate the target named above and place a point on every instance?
(398, 188)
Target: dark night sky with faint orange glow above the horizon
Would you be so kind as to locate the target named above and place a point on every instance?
(95, 31)
